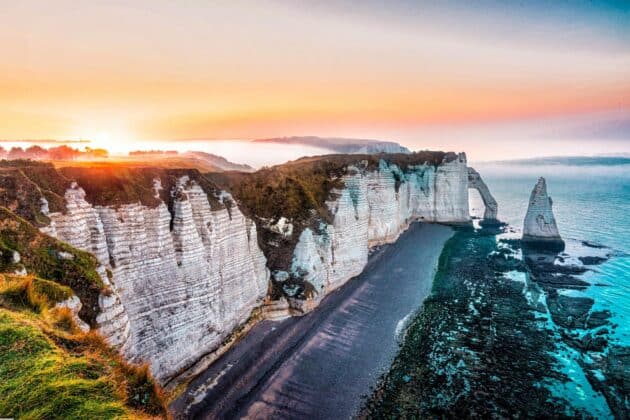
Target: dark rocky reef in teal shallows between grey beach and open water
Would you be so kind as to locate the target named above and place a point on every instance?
(503, 334)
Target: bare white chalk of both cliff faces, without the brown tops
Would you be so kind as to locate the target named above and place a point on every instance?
(184, 275)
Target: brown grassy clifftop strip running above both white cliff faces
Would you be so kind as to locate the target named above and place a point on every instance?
(293, 188)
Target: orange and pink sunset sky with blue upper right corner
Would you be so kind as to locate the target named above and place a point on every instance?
(496, 79)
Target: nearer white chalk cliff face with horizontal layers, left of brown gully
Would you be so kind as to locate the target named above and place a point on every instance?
(176, 293)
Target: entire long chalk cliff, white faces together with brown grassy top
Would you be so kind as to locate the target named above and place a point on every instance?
(184, 266)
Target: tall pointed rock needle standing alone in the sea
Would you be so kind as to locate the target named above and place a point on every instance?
(540, 229)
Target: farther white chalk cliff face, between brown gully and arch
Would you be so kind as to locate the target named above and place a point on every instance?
(372, 208)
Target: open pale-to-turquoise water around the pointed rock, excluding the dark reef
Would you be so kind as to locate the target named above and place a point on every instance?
(591, 203)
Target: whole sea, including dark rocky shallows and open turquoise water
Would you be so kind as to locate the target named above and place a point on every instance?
(489, 342)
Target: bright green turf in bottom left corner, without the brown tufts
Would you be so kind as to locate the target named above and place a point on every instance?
(40, 380)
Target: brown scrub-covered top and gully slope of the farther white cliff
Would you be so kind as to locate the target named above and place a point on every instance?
(298, 190)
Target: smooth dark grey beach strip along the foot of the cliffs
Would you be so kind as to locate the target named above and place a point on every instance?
(321, 364)
